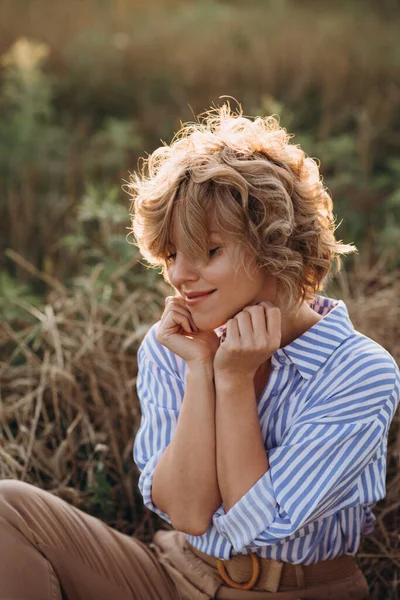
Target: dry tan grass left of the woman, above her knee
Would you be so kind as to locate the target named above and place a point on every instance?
(68, 408)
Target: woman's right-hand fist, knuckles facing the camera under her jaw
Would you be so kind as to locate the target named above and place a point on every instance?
(252, 336)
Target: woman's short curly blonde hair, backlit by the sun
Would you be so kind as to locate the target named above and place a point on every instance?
(260, 188)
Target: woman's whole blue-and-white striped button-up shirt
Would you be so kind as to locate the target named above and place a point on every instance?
(324, 416)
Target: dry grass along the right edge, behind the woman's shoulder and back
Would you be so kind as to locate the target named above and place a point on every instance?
(372, 297)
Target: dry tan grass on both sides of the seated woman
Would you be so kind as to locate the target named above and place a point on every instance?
(69, 412)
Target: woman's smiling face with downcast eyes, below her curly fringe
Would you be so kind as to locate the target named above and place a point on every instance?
(230, 290)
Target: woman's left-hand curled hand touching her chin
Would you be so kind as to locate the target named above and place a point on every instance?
(178, 332)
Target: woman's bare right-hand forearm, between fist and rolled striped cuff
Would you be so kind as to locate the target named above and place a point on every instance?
(241, 456)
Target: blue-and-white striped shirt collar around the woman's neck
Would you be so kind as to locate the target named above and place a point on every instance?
(311, 350)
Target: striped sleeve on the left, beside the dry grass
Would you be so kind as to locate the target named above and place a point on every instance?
(160, 391)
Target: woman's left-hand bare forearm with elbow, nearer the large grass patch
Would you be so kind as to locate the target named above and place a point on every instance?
(185, 482)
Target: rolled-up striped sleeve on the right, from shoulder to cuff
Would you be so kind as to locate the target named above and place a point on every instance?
(317, 468)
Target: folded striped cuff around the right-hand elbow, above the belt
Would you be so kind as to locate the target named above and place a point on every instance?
(250, 516)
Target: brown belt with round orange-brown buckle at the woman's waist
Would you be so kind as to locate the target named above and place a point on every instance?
(249, 571)
